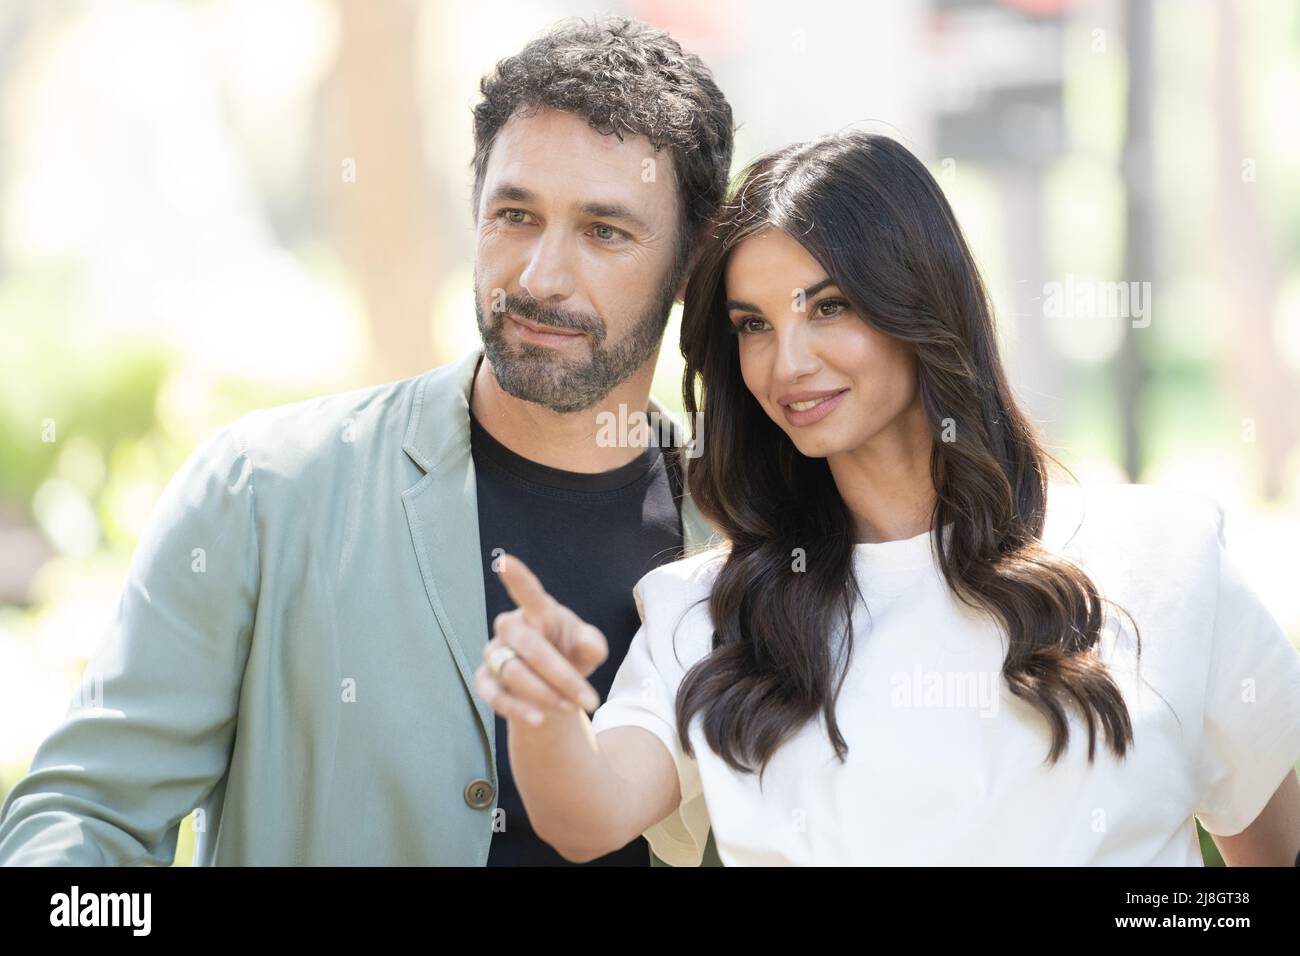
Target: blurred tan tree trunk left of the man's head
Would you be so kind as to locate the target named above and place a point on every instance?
(379, 196)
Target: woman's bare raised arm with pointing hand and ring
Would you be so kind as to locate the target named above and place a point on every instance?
(586, 794)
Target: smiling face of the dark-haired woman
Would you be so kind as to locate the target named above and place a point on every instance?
(801, 340)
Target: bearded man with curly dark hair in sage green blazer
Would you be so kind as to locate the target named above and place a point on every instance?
(298, 634)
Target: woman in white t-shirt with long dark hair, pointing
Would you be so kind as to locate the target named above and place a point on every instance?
(913, 647)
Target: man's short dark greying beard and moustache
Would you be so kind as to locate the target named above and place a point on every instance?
(539, 374)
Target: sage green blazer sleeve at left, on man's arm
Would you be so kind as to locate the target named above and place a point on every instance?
(149, 736)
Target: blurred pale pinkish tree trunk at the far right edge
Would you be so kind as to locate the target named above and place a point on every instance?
(1251, 279)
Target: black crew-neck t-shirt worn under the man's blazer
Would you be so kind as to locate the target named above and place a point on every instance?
(588, 539)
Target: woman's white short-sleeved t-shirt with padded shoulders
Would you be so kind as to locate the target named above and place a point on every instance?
(946, 767)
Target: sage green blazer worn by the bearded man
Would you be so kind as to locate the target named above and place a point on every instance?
(293, 654)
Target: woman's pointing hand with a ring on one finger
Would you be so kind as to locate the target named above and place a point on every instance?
(543, 654)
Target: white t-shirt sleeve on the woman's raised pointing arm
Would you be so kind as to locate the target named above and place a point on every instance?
(644, 695)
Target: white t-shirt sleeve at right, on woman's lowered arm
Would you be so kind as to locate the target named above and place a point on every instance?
(1251, 737)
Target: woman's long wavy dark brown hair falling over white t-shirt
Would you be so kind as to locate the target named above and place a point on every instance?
(878, 223)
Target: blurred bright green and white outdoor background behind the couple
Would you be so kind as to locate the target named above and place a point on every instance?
(213, 207)
